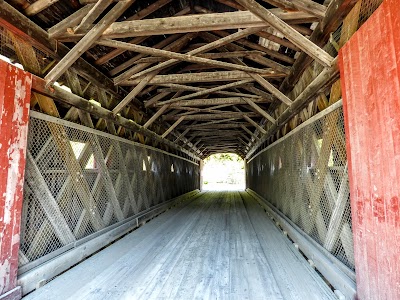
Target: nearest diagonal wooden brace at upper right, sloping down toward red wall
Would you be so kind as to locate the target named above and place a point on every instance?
(292, 35)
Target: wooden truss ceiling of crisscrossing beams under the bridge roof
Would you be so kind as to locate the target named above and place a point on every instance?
(212, 72)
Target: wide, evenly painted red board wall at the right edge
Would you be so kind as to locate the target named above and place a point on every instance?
(370, 72)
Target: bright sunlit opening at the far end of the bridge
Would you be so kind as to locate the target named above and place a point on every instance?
(223, 172)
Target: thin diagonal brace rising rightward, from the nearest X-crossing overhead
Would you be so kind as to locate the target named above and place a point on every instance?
(213, 45)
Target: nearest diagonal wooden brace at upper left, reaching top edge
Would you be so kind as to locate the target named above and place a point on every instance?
(85, 43)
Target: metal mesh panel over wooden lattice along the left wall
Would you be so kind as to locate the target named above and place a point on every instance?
(79, 181)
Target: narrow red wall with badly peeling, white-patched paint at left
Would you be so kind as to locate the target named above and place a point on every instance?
(15, 91)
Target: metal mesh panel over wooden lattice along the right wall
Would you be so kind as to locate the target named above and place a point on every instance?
(304, 175)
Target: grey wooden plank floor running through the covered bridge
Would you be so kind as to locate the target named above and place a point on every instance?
(221, 245)
